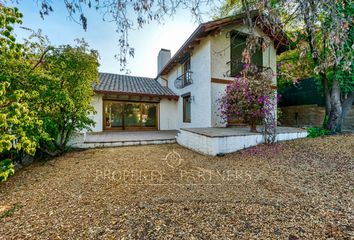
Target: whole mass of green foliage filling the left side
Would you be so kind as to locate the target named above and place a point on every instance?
(45, 92)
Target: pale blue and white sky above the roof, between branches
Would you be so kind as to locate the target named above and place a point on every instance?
(101, 35)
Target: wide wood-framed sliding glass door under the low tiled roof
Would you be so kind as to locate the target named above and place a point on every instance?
(129, 115)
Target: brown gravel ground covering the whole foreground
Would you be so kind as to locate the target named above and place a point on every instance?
(301, 189)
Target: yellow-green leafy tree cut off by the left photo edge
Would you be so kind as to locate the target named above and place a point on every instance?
(20, 128)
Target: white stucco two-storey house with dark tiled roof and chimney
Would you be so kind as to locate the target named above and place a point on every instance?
(185, 91)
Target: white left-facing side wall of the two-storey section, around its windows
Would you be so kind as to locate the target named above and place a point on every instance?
(199, 89)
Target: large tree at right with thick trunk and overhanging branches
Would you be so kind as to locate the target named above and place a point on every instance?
(322, 33)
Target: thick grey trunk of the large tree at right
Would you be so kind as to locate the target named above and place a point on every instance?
(335, 115)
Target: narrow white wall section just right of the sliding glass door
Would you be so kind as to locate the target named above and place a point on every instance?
(168, 114)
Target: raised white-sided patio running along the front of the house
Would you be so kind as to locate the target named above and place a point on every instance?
(209, 141)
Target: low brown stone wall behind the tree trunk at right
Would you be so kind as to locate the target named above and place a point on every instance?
(309, 116)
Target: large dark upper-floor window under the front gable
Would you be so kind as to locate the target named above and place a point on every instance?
(237, 45)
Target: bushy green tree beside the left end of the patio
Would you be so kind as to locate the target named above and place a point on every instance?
(65, 100)
